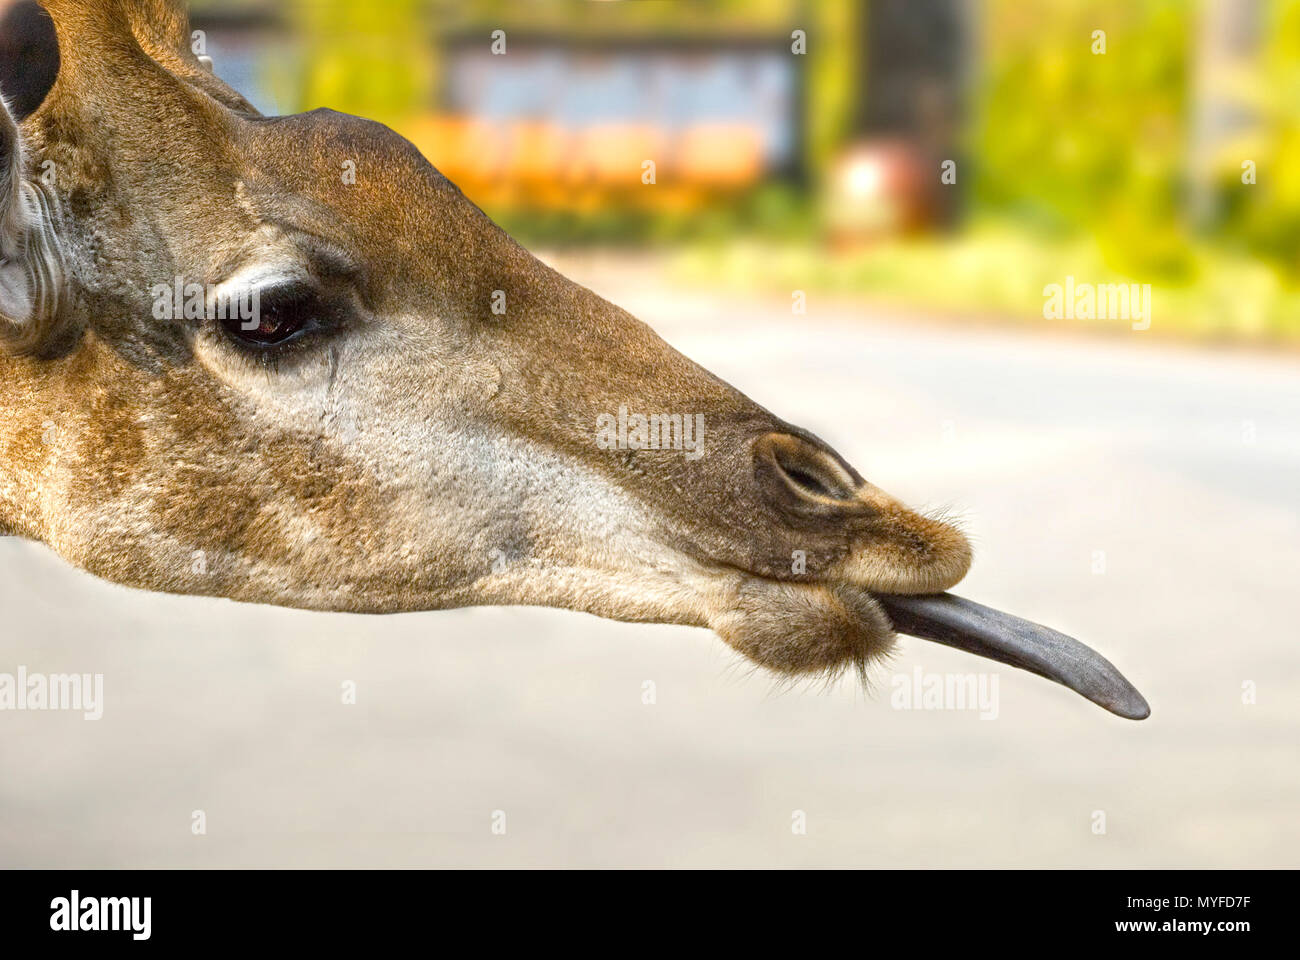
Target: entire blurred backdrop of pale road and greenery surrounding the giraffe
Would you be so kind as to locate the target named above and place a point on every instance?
(855, 213)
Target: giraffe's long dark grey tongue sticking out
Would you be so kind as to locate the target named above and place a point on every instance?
(969, 626)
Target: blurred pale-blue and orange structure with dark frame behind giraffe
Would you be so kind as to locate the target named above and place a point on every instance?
(564, 122)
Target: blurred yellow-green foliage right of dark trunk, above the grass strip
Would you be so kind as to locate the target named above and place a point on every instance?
(1071, 142)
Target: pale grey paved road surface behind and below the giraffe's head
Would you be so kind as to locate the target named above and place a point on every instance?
(1142, 498)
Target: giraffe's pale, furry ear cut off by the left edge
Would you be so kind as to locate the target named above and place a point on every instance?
(29, 269)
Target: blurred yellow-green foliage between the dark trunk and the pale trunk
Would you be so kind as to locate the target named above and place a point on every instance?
(1069, 139)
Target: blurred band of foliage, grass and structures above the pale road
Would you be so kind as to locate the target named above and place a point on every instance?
(801, 145)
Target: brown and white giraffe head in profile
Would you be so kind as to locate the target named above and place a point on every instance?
(283, 360)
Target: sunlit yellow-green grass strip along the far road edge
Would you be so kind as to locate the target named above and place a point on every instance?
(993, 274)
